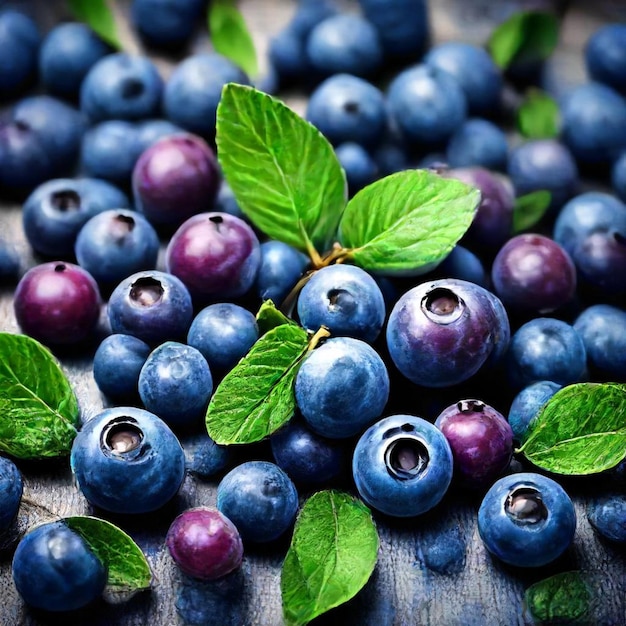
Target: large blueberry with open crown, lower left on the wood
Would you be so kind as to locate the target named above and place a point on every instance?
(126, 460)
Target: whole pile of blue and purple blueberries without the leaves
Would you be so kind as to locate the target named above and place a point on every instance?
(143, 256)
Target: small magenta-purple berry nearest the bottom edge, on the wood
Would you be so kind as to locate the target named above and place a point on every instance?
(204, 543)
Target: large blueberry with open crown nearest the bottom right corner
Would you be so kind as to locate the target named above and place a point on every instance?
(526, 520)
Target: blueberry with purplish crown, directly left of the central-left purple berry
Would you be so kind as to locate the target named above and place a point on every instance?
(116, 243)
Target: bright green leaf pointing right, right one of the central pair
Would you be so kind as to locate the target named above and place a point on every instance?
(407, 222)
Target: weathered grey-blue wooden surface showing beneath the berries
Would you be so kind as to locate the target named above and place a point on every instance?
(410, 586)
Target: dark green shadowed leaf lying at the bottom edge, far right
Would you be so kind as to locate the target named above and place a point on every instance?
(560, 599)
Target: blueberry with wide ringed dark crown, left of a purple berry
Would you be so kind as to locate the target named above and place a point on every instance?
(402, 465)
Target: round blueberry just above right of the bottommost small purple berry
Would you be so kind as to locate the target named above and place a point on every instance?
(260, 499)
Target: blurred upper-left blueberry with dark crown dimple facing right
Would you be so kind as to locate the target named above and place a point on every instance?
(121, 86)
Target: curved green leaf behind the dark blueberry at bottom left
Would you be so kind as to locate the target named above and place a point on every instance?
(127, 567)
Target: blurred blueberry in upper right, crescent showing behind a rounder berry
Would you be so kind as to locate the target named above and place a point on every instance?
(475, 71)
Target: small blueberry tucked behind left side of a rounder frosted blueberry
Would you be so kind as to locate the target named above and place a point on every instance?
(117, 363)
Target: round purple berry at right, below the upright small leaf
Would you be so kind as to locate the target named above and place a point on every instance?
(533, 273)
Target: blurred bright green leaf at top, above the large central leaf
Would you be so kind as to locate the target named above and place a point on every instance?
(230, 35)
